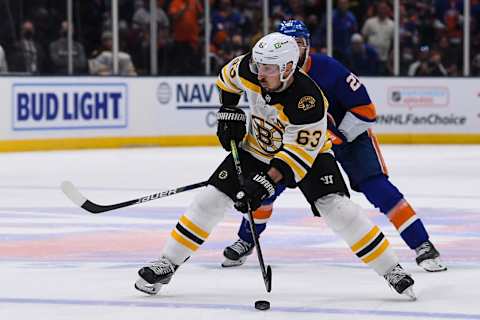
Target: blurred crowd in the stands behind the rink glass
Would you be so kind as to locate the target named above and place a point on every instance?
(33, 35)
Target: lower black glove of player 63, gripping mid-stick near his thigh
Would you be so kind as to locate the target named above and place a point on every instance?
(256, 189)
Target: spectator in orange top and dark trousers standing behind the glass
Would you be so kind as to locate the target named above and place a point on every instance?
(186, 55)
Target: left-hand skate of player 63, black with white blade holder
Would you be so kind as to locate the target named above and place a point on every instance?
(155, 275)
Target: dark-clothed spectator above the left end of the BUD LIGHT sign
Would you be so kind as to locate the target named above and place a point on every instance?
(27, 54)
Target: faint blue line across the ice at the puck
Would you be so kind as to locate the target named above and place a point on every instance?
(166, 305)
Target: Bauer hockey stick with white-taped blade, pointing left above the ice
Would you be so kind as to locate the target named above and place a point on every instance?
(73, 194)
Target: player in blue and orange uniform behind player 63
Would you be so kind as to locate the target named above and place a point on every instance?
(351, 114)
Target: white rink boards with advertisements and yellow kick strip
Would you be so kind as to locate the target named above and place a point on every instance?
(88, 112)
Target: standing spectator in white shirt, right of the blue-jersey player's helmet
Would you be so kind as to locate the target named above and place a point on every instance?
(378, 32)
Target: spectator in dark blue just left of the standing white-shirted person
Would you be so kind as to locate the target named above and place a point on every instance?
(363, 59)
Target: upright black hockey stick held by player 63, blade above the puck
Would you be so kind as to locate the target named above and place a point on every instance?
(266, 272)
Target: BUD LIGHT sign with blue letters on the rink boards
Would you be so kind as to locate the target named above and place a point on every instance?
(51, 106)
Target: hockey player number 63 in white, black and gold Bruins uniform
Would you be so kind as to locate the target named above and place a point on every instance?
(285, 143)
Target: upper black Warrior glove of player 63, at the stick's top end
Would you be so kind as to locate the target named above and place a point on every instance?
(231, 125)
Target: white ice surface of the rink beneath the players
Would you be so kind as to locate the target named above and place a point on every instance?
(60, 262)
